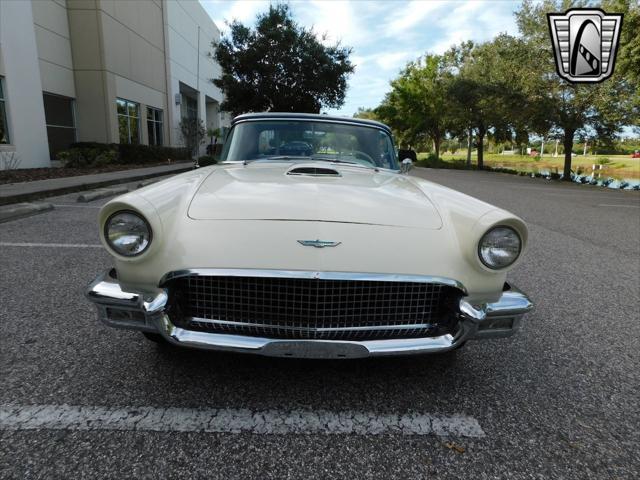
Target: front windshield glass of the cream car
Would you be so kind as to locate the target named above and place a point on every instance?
(322, 141)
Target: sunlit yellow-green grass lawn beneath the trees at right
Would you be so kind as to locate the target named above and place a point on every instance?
(619, 166)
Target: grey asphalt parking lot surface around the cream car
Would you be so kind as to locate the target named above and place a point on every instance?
(560, 400)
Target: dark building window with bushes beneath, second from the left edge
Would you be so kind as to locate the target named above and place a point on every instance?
(60, 120)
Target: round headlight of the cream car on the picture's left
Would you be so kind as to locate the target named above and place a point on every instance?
(127, 233)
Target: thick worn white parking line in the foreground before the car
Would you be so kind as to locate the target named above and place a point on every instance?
(267, 422)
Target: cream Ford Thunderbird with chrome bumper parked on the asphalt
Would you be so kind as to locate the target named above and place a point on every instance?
(309, 241)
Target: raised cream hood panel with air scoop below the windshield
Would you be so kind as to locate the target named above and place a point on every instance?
(279, 191)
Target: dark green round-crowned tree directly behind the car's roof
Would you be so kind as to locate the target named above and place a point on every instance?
(280, 66)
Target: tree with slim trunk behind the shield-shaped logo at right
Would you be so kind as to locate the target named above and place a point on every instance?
(571, 109)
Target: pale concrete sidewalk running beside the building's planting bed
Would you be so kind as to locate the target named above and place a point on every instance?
(27, 191)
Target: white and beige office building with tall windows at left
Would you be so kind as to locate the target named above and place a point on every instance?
(108, 71)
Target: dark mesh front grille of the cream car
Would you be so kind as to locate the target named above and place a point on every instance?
(308, 308)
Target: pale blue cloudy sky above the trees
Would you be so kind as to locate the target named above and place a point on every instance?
(384, 35)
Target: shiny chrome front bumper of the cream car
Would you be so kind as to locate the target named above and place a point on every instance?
(145, 311)
